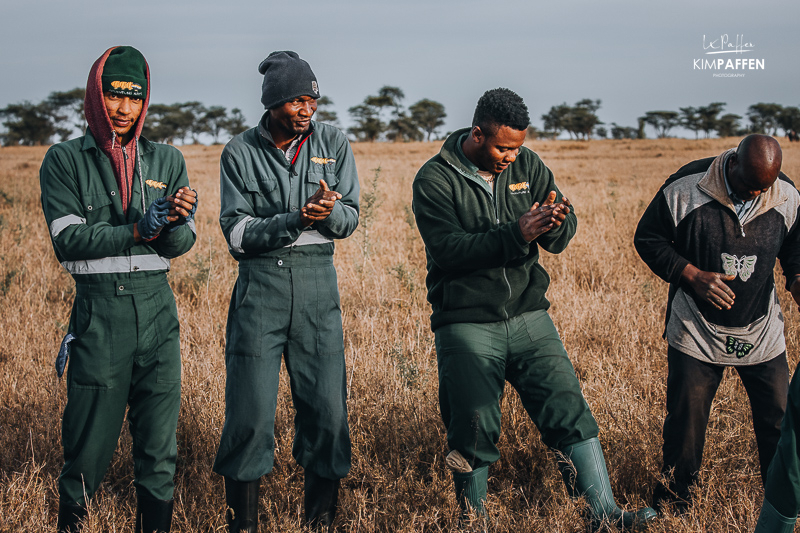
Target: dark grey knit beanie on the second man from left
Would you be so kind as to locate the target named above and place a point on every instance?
(286, 77)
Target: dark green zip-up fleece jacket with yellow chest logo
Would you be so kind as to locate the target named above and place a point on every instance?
(480, 268)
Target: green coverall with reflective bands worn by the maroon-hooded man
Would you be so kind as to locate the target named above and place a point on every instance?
(127, 345)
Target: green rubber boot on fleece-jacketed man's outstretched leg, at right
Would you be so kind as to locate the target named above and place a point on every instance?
(584, 472)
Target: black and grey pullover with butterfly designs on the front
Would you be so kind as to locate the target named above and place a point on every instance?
(692, 220)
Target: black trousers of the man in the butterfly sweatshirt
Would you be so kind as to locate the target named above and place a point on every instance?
(691, 387)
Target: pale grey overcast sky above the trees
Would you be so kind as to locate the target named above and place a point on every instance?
(635, 56)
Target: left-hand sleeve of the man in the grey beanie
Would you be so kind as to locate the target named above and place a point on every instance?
(244, 231)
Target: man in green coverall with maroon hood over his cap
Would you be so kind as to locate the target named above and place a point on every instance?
(118, 208)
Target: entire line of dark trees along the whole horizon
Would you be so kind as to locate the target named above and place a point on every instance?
(382, 117)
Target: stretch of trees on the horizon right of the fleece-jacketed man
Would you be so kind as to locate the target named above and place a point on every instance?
(580, 121)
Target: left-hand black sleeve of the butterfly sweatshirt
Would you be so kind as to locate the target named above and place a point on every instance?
(655, 241)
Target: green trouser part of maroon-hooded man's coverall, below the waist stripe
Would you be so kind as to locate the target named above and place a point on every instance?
(126, 352)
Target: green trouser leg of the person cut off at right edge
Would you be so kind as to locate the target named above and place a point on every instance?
(783, 476)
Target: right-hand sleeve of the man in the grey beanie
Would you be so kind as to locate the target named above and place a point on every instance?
(343, 220)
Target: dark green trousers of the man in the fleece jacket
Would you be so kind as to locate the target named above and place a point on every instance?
(475, 361)
